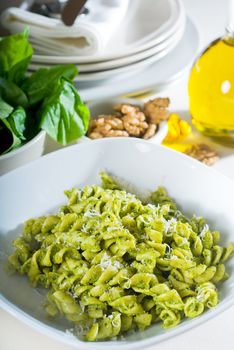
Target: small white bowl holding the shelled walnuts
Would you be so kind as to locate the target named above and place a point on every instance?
(107, 107)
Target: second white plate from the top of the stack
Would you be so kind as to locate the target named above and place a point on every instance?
(100, 66)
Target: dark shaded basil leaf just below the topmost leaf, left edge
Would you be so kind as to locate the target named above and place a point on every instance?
(12, 94)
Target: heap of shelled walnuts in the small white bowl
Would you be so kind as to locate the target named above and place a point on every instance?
(130, 120)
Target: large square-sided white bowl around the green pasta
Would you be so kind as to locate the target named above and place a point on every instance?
(37, 188)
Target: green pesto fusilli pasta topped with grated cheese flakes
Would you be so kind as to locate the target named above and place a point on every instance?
(113, 263)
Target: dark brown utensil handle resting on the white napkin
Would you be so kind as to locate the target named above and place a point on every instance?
(71, 11)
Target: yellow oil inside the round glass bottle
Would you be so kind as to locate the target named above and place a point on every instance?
(211, 90)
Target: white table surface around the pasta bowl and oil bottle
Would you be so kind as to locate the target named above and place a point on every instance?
(218, 333)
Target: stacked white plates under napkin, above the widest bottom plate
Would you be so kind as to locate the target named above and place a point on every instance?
(149, 32)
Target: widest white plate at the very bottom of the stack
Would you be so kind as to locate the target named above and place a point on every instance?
(168, 69)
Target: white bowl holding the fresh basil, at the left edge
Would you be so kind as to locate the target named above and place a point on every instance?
(24, 154)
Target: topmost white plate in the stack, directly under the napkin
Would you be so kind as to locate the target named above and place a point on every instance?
(163, 19)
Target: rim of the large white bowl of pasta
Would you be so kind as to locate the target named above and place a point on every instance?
(61, 336)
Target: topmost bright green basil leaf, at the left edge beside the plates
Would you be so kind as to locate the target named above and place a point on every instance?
(15, 55)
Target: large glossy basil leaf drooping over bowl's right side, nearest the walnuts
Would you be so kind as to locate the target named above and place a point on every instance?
(63, 115)
